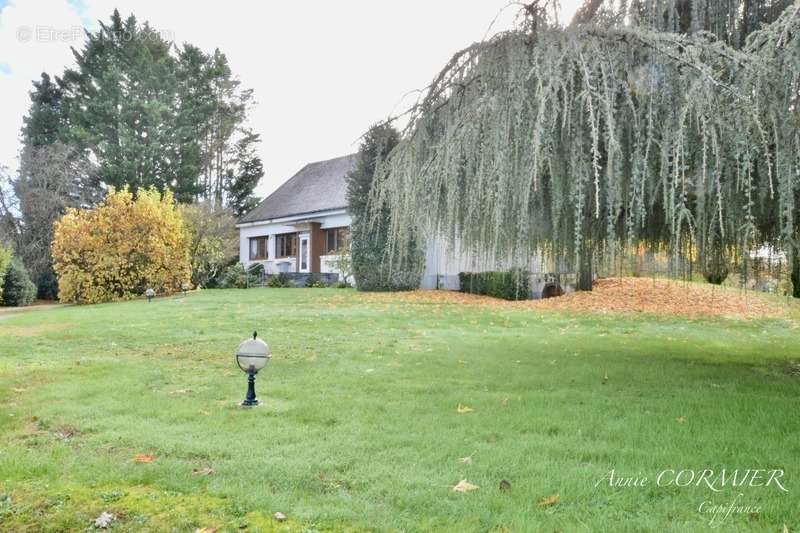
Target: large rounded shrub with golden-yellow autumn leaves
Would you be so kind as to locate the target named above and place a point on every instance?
(120, 248)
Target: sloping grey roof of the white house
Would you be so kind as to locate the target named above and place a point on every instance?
(316, 187)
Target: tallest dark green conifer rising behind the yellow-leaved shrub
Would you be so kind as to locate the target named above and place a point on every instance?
(122, 102)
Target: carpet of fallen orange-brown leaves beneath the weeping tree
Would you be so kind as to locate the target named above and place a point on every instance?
(632, 295)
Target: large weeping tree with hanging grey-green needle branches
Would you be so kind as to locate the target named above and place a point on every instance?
(598, 139)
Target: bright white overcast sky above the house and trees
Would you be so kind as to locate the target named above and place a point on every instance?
(322, 71)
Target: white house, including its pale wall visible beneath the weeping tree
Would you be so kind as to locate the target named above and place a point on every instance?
(302, 227)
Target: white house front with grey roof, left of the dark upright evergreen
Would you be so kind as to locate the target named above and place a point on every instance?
(303, 225)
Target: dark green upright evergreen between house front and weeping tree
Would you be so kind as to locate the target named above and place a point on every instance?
(369, 234)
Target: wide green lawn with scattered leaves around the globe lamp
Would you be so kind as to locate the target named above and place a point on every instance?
(359, 428)
